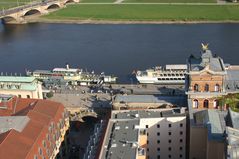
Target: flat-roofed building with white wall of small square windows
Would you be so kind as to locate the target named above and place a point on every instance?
(145, 134)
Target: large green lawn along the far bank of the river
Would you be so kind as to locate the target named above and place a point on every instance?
(147, 12)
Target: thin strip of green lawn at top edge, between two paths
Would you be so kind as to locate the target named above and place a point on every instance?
(169, 1)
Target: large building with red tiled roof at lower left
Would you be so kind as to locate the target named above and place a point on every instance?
(32, 129)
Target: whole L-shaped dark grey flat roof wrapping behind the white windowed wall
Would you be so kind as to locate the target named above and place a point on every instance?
(121, 139)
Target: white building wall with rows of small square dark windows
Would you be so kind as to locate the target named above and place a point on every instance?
(159, 135)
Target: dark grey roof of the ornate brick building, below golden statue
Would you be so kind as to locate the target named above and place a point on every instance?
(214, 63)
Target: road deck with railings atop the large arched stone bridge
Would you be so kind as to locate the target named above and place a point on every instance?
(5, 12)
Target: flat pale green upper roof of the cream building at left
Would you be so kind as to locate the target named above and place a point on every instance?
(17, 79)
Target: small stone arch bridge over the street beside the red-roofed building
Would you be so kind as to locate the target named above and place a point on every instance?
(76, 114)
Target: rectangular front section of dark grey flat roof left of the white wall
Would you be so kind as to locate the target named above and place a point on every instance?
(121, 140)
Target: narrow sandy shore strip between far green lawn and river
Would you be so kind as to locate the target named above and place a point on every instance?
(90, 21)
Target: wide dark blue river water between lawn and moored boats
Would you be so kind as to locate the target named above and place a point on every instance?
(113, 49)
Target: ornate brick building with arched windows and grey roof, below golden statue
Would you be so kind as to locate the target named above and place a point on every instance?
(205, 80)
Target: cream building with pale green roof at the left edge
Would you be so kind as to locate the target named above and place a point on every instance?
(23, 87)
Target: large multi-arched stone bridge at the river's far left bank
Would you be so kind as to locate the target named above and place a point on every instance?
(20, 14)
